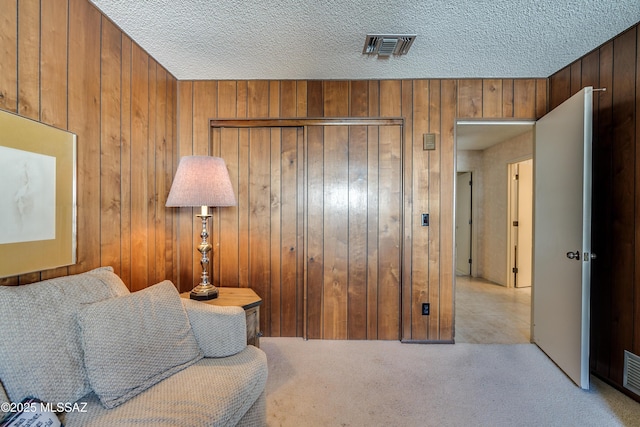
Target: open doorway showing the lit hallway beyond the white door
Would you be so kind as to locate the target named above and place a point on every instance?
(485, 299)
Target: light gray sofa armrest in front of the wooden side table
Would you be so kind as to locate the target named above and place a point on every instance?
(219, 331)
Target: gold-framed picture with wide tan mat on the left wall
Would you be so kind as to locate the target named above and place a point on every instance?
(37, 196)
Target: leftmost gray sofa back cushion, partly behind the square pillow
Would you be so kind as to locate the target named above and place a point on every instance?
(40, 342)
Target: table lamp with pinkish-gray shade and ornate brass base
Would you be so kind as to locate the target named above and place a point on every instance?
(202, 181)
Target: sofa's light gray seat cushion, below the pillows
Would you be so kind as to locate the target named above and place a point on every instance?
(211, 392)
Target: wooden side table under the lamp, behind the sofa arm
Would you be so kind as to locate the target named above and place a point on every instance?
(248, 300)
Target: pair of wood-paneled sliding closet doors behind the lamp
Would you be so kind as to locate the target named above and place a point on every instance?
(317, 230)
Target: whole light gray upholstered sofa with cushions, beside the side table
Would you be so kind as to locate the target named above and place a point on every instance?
(142, 358)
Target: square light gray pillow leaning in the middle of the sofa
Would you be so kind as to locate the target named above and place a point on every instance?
(135, 341)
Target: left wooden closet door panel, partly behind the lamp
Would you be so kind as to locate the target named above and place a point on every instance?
(258, 243)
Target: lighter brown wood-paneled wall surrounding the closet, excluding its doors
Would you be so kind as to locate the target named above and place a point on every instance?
(65, 64)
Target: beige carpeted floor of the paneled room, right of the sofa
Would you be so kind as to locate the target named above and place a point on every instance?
(387, 383)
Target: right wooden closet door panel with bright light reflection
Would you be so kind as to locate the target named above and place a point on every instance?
(353, 232)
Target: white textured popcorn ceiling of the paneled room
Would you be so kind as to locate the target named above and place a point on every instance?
(323, 39)
